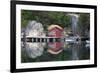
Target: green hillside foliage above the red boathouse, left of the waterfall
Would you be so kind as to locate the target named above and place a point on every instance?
(46, 18)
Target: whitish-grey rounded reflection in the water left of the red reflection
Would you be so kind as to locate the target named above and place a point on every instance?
(34, 49)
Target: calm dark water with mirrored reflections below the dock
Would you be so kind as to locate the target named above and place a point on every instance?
(38, 52)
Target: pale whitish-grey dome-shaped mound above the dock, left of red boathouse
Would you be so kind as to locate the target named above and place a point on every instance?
(34, 29)
